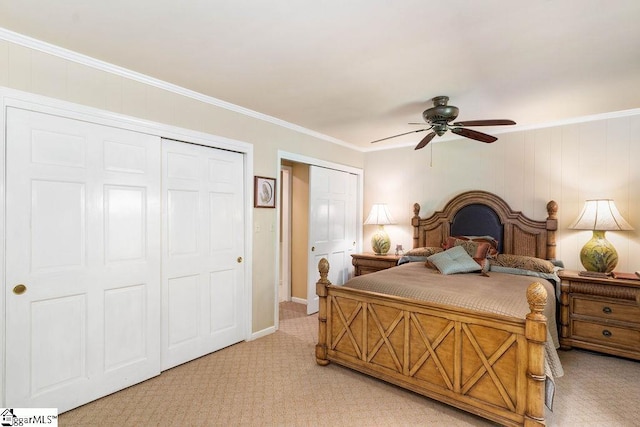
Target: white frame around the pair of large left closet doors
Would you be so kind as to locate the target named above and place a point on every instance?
(28, 101)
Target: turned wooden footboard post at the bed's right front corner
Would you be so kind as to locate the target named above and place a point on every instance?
(536, 334)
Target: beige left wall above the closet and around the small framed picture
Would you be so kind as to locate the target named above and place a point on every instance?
(33, 71)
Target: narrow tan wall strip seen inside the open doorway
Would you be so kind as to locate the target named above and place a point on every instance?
(299, 230)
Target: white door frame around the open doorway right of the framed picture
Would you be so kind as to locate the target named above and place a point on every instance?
(298, 158)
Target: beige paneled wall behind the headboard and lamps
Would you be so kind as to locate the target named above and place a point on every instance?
(568, 164)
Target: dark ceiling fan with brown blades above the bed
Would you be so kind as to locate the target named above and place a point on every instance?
(438, 118)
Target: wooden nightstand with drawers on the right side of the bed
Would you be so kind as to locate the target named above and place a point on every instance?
(600, 314)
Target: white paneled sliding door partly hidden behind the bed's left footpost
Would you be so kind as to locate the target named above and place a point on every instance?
(332, 227)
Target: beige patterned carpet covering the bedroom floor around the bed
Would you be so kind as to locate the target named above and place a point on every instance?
(274, 381)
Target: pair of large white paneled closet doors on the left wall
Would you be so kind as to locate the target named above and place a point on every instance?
(98, 277)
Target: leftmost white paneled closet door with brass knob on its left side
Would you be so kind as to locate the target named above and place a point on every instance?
(83, 260)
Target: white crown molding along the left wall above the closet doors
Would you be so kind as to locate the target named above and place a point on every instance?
(88, 61)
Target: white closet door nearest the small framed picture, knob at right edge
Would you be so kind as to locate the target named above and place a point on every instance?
(203, 247)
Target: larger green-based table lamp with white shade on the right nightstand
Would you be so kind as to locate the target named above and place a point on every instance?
(598, 254)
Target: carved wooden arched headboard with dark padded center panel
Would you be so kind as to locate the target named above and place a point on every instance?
(481, 213)
